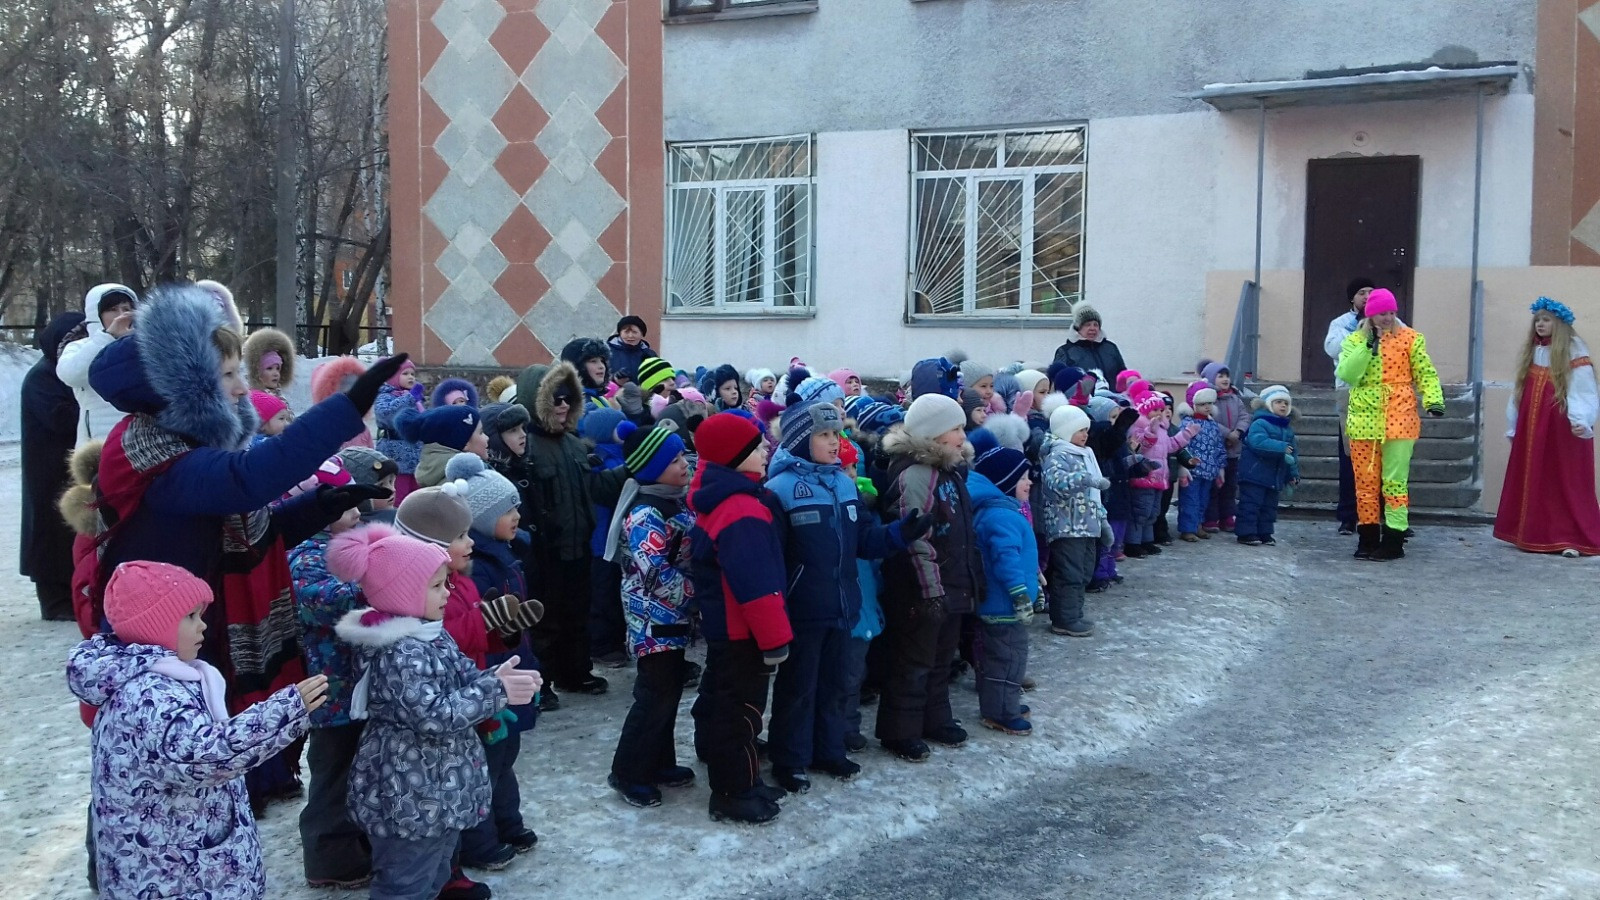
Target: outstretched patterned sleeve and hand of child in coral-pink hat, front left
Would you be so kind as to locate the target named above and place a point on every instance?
(198, 750)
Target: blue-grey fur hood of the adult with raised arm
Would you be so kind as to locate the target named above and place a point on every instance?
(182, 366)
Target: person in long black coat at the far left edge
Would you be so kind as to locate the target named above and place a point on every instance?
(50, 428)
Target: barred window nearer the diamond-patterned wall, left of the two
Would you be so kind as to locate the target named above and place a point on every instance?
(740, 227)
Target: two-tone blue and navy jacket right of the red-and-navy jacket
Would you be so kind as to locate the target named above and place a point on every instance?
(826, 532)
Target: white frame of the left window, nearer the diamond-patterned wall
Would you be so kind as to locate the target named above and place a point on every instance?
(721, 190)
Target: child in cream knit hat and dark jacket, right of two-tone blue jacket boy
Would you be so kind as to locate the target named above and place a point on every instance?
(930, 585)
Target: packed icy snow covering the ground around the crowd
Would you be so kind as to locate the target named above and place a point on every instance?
(1247, 723)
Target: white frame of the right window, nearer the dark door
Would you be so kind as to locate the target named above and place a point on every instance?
(972, 179)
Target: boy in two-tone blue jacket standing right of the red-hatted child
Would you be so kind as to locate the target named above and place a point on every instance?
(826, 532)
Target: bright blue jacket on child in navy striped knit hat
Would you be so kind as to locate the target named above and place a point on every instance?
(1010, 553)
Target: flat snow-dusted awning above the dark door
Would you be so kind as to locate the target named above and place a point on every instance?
(1367, 87)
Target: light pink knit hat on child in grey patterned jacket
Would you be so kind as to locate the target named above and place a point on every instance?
(393, 569)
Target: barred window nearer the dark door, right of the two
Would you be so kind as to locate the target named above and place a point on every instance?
(999, 223)
